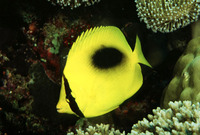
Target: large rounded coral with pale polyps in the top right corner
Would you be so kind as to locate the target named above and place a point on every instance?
(167, 15)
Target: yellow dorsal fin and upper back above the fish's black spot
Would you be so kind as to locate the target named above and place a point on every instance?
(94, 38)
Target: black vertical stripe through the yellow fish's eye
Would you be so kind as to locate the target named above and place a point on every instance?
(72, 103)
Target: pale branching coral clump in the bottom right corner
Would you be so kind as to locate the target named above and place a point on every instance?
(181, 118)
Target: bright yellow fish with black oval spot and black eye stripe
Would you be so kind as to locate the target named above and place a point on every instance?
(101, 72)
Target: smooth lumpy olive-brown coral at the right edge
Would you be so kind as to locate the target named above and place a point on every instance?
(185, 84)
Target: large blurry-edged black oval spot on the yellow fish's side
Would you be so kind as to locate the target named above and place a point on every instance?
(107, 57)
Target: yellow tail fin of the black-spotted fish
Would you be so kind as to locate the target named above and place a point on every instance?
(137, 53)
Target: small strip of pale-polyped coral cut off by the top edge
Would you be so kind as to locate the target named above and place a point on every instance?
(74, 3)
